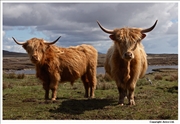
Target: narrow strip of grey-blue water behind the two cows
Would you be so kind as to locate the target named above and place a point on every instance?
(100, 70)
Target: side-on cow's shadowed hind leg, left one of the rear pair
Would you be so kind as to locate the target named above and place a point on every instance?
(86, 85)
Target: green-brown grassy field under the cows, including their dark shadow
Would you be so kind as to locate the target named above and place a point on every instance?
(23, 99)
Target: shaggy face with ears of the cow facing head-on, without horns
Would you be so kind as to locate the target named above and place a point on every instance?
(126, 41)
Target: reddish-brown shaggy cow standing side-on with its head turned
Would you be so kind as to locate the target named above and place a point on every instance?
(56, 64)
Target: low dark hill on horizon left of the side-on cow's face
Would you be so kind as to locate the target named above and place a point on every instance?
(9, 54)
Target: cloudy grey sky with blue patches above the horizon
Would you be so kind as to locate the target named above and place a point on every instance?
(76, 23)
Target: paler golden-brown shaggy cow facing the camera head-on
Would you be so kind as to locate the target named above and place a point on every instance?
(126, 60)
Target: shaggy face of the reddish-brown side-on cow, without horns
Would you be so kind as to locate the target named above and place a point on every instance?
(35, 48)
